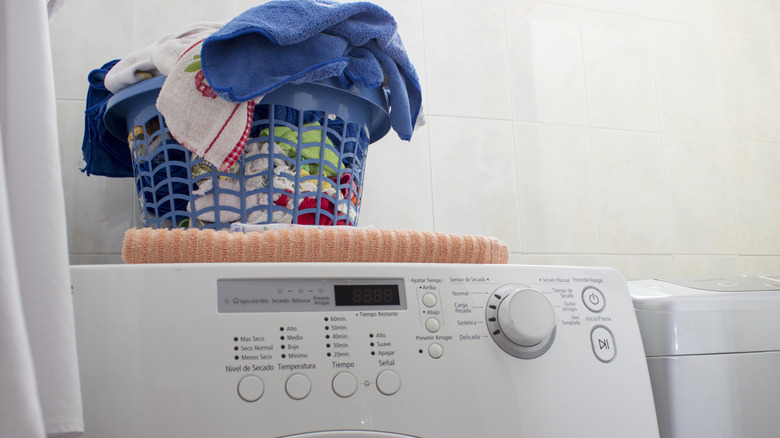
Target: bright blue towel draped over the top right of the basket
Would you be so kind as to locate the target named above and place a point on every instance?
(308, 40)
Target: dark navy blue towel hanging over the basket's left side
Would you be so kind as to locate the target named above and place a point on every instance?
(103, 153)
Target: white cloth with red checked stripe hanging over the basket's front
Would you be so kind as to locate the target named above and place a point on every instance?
(201, 121)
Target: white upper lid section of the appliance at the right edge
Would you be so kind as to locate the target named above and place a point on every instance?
(694, 316)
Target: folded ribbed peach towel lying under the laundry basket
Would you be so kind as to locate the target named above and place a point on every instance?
(334, 244)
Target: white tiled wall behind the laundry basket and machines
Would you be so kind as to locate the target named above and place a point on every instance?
(637, 134)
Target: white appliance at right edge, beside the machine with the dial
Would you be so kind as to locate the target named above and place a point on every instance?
(713, 352)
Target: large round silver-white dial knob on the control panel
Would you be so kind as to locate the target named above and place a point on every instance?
(521, 321)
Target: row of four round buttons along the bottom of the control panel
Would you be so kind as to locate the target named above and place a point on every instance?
(298, 386)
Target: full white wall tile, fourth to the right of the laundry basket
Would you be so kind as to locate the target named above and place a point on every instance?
(632, 203)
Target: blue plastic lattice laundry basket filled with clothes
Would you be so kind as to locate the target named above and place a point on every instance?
(304, 162)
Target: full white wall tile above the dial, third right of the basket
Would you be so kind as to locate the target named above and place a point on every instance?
(557, 189)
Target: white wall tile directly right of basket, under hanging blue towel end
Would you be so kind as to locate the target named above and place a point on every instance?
(397, 188)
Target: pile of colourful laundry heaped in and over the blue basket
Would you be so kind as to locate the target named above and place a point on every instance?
(215, 75)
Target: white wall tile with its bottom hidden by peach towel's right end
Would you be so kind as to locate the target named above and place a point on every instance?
(474, 182)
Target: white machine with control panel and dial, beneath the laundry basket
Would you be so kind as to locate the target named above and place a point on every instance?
(359, 351)
